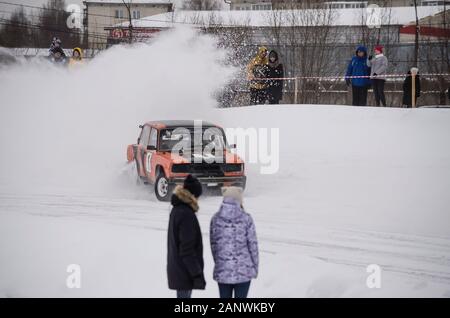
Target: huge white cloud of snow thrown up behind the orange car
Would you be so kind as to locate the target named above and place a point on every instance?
(61, 127)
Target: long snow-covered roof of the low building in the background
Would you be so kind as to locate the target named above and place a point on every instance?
(341, 17)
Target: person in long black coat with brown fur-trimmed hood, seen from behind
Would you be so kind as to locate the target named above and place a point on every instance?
(184, 243)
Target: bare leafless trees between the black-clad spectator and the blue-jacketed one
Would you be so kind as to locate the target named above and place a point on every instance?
(302, 37)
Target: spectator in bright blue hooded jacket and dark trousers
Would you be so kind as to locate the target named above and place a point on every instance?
(358, 67)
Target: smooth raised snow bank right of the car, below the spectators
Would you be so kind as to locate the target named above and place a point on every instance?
(374, 167)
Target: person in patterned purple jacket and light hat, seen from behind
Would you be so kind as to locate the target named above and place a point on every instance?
(234, 246)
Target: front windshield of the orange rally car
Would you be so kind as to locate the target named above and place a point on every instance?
(183, 138)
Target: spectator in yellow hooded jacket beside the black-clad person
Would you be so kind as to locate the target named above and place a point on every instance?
(257, 74)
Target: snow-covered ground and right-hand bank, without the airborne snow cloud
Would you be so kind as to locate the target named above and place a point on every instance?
(348, 194)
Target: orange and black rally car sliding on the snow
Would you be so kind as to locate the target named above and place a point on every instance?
(167, 151)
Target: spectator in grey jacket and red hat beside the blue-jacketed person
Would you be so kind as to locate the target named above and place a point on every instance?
(378, 67)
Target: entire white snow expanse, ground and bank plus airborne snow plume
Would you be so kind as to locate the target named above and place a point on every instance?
(355, 186)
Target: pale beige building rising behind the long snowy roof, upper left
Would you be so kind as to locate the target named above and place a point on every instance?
(99, 14)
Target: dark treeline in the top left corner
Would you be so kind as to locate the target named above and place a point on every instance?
(35, 27)
